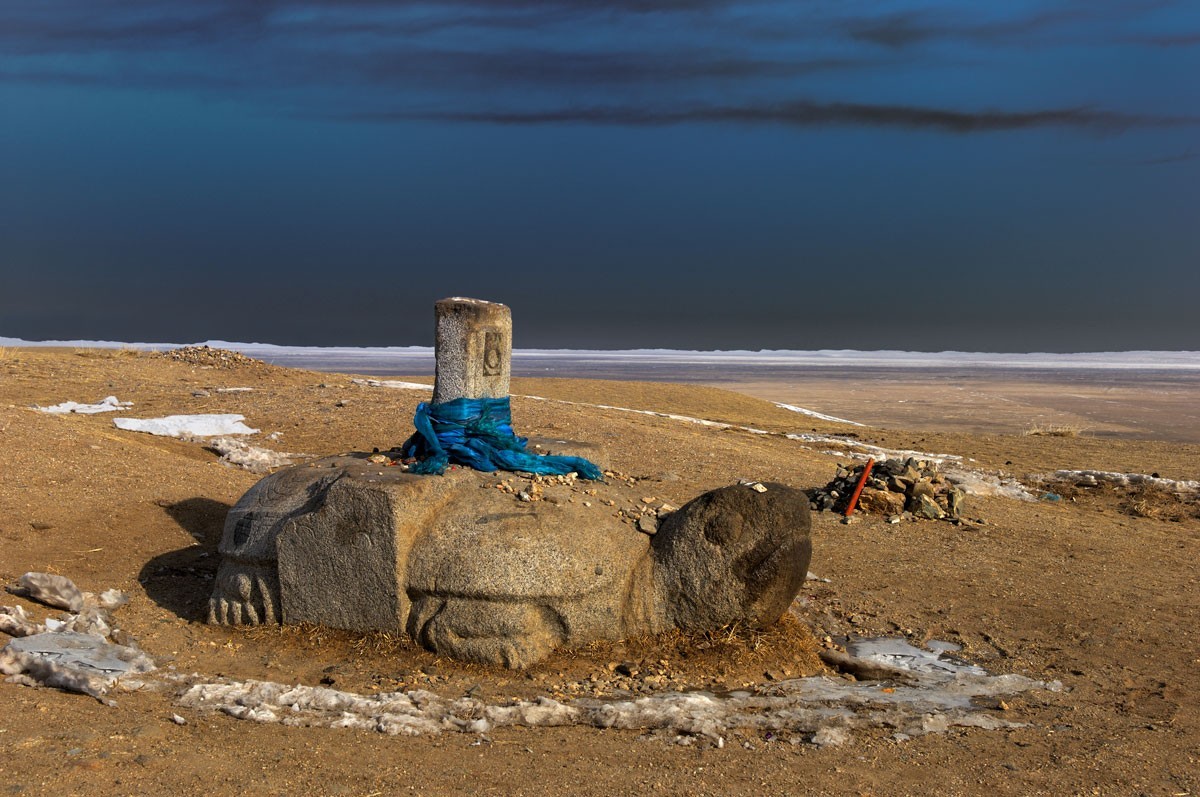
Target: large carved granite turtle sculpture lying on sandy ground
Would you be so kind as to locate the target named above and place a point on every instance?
(470, 572)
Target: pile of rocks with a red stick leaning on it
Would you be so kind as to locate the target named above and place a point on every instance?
(895, 488)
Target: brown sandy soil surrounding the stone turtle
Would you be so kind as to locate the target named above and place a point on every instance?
(1096, 591)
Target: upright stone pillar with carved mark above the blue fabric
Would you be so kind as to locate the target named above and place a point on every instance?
(473, 347)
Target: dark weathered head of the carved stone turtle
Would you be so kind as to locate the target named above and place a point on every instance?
(734, 555)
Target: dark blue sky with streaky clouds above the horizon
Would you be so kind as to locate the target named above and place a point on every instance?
(1019, 176)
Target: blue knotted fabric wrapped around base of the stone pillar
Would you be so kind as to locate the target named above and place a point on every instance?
(478, 434)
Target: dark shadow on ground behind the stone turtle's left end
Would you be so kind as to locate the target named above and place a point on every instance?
(181, 582)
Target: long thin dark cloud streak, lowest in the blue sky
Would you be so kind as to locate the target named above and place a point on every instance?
(806, 115)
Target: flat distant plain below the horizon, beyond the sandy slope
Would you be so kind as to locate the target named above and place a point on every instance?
(1151, 404)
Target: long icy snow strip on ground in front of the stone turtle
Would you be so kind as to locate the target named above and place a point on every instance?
(824, 710)
